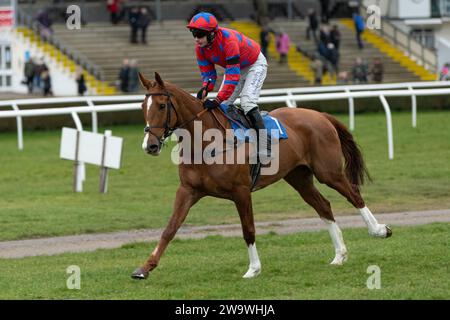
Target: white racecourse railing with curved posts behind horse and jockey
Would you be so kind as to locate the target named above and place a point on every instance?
(288, 96)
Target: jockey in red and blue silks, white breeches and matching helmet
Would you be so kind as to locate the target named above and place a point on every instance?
(245, 66)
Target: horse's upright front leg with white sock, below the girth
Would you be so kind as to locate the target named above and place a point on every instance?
(242, 199)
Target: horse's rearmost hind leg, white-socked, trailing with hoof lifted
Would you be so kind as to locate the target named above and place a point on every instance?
(340, 183)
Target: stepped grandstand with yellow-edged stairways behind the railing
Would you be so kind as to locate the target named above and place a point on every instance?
(170, 48)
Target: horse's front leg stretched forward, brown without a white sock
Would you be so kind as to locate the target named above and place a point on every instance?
(184, 200)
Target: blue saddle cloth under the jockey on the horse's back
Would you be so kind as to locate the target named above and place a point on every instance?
(273, 126)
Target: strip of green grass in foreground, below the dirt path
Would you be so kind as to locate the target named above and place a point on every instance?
(413, 263)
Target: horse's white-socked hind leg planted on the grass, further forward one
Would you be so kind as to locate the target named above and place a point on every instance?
(301, 179)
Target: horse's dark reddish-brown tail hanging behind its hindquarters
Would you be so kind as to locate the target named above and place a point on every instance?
(355, 168)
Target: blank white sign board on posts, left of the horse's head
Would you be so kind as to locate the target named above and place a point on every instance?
(90, 148)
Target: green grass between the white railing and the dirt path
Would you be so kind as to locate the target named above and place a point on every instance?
(36, 197)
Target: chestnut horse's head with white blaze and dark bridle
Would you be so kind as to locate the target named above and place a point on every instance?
(160, 114)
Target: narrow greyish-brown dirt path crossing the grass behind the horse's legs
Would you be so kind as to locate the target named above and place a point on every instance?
(91, 242)
